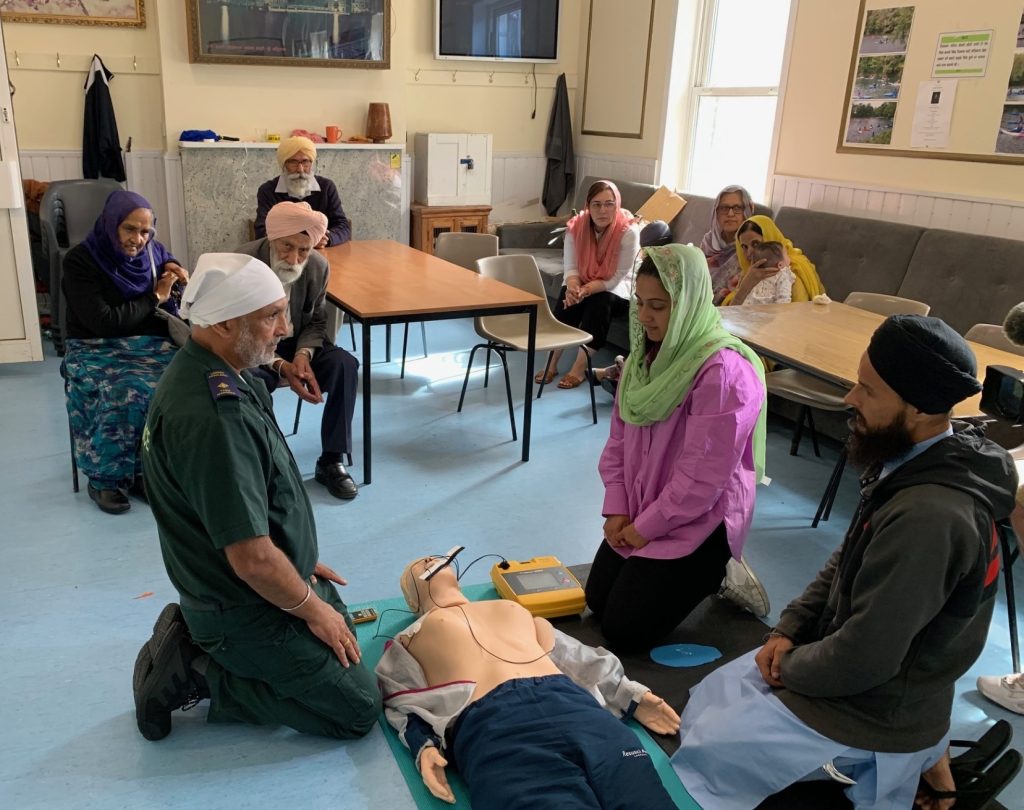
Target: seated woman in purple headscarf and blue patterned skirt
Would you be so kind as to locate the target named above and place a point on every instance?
(119, 285)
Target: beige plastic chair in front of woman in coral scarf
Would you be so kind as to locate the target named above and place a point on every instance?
(510, 333)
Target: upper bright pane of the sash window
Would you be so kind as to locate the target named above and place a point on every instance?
(748, 44)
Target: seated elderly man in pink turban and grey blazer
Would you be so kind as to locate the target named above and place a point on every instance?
(308, 361)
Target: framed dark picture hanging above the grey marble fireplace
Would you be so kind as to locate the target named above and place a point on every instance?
(315, 33)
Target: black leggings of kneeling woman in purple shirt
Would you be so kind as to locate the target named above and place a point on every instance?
(641, 601)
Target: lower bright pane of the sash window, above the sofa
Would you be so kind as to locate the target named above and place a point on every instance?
(733, 144)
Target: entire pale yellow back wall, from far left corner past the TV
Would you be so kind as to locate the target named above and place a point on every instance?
(238, 100)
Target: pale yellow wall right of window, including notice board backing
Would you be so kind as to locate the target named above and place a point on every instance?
(817, 91)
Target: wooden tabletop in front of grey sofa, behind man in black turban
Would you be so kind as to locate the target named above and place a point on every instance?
(828, 342)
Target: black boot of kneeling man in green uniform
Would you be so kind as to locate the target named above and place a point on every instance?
(164, 678)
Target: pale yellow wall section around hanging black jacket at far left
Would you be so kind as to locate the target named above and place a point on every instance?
(50, 104)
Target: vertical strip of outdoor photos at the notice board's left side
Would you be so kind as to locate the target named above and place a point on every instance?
(878, 76)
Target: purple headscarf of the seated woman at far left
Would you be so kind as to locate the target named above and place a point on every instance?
(133, 275)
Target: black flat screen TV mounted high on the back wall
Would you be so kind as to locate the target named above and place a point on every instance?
(504, 30)
